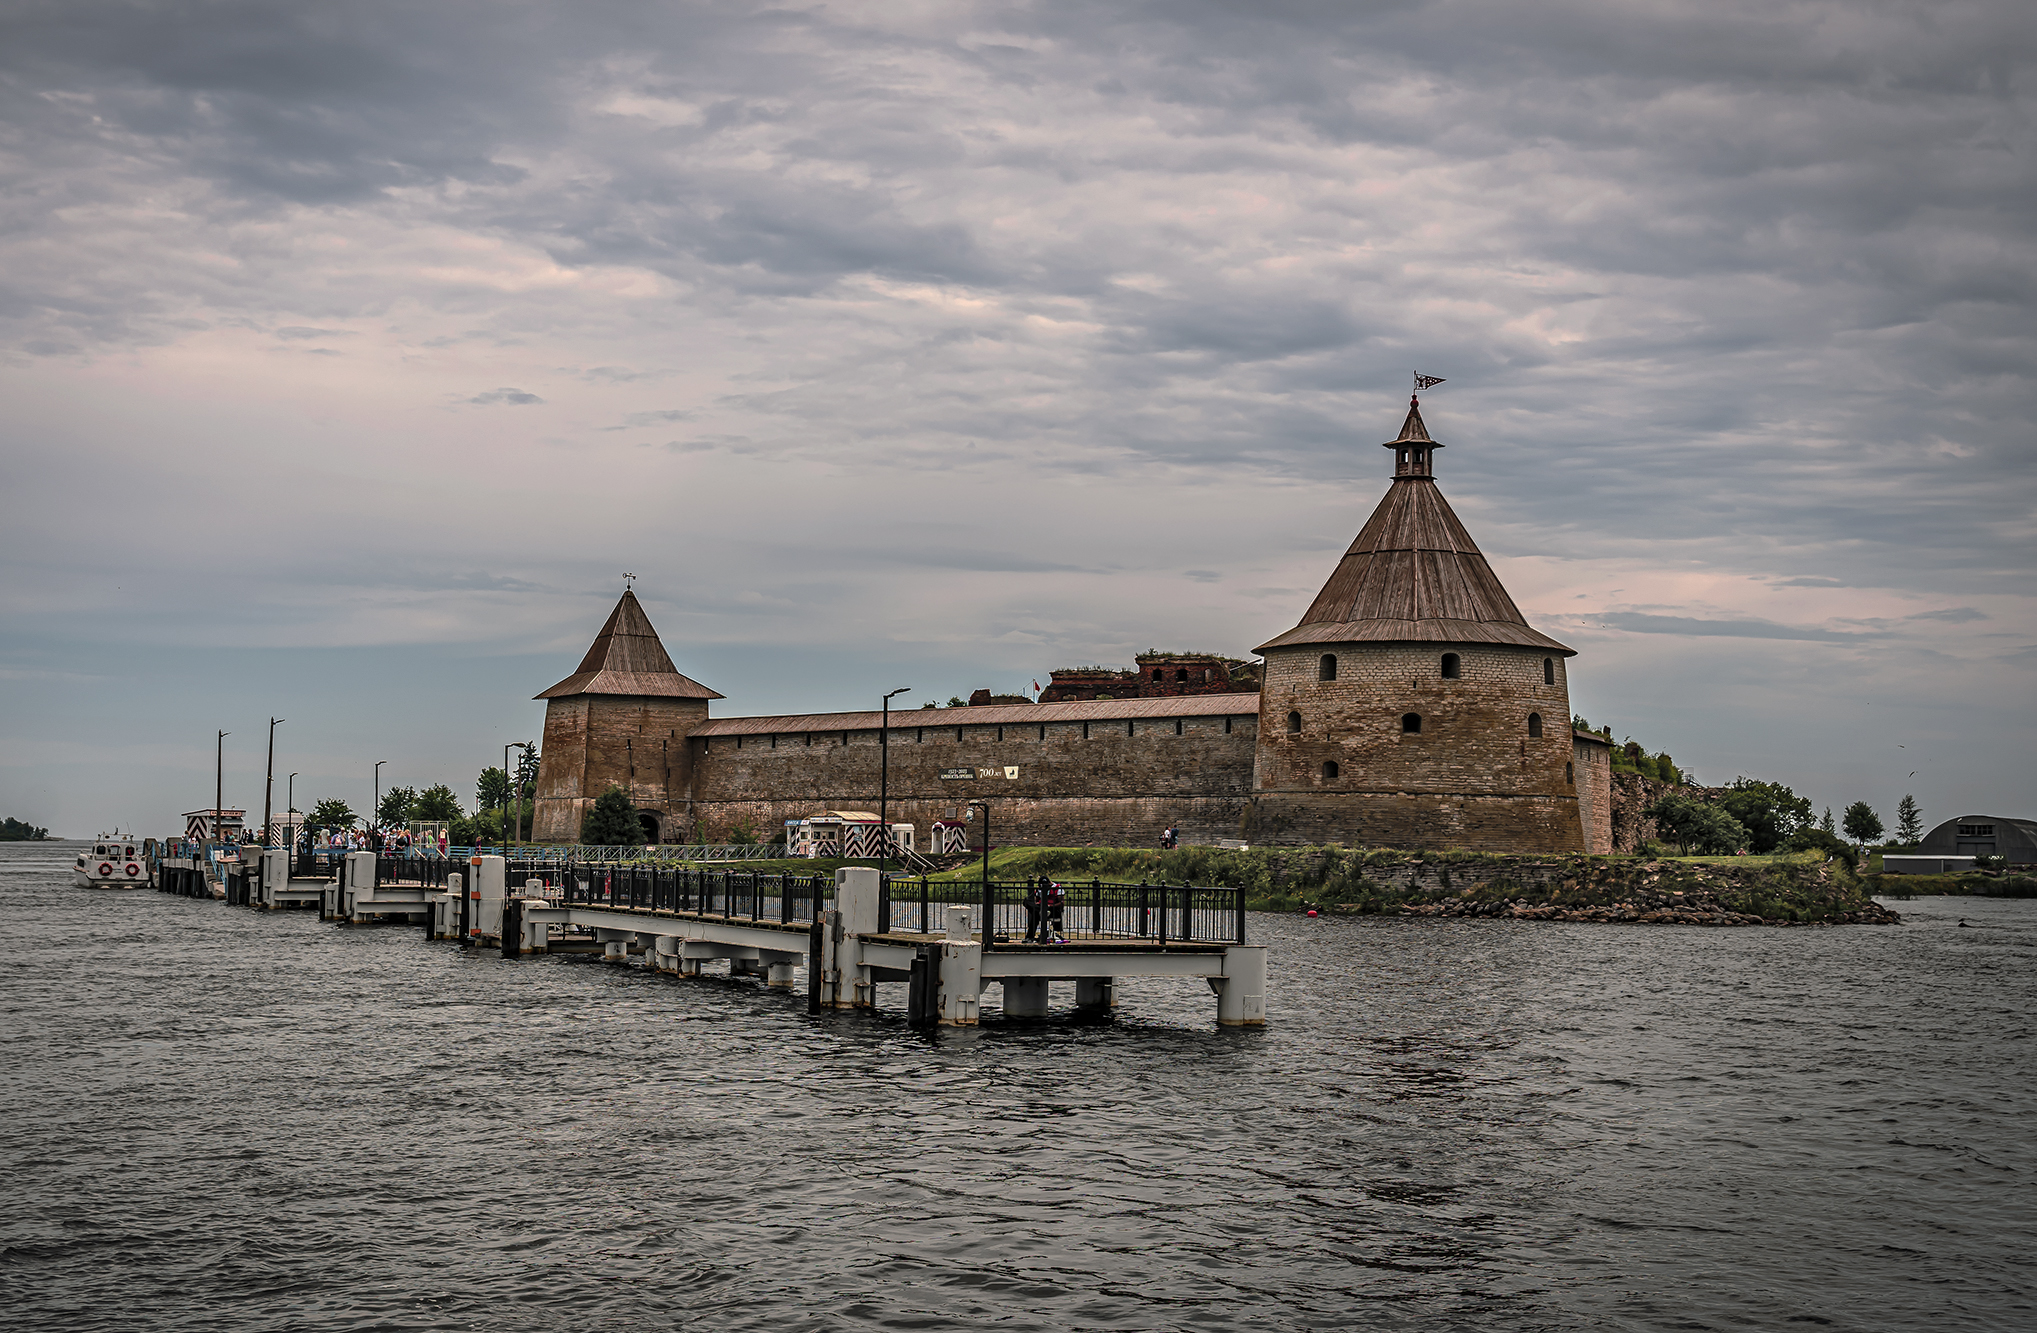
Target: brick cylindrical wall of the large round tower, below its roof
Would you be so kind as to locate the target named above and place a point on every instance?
(1472, 778)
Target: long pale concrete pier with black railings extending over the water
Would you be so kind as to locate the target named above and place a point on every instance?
(846, 932)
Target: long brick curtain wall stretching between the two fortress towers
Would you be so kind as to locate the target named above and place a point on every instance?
(1119, 784)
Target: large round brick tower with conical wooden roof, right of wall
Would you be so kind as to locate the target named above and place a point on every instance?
(1415, 706)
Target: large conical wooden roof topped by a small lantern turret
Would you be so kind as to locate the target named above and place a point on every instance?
(1415, 576)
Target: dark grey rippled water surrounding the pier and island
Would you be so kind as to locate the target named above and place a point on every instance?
(225, 1120)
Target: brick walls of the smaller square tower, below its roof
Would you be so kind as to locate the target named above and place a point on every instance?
(594, 743)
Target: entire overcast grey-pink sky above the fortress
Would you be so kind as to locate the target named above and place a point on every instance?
(353, 352)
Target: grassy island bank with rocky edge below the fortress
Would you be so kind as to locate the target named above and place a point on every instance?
(1787, 890)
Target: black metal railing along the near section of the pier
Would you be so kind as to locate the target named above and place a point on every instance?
(1091, 910)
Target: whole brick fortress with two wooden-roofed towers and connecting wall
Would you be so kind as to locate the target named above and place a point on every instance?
(1413, 706)
